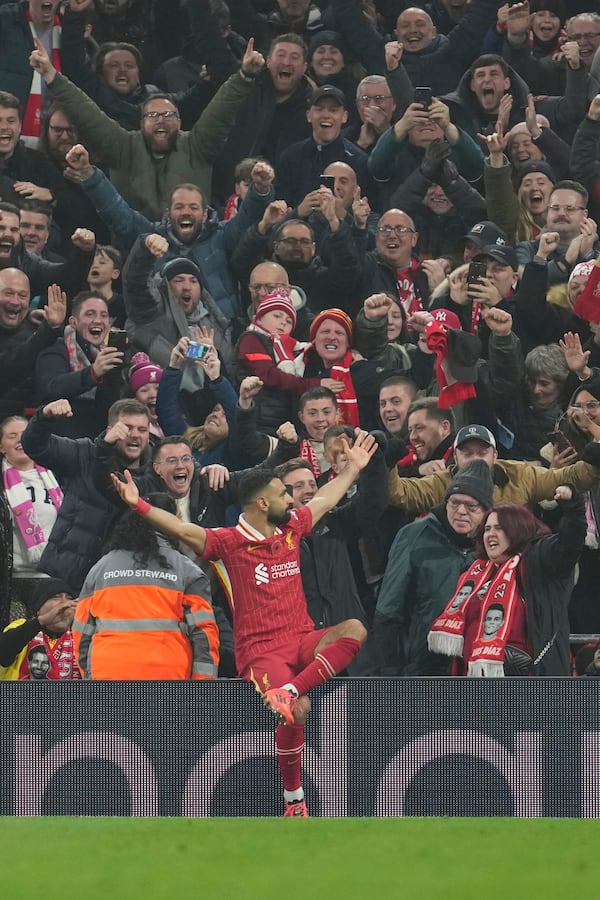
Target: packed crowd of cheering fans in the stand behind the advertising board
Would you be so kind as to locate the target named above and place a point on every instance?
(233, 234)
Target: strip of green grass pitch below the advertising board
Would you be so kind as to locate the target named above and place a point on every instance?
(294, 859)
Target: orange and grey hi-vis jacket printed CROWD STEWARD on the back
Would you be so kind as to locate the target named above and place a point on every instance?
(144, 621)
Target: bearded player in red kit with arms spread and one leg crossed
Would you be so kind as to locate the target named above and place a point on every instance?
(276, 645)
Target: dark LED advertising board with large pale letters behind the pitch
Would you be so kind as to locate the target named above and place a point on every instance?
(375, 747)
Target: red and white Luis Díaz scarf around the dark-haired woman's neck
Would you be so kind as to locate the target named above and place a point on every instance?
(446, 637)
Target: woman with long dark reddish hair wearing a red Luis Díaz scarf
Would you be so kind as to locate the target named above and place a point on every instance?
(514, 620)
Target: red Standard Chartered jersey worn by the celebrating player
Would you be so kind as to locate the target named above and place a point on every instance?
(266, 592)
